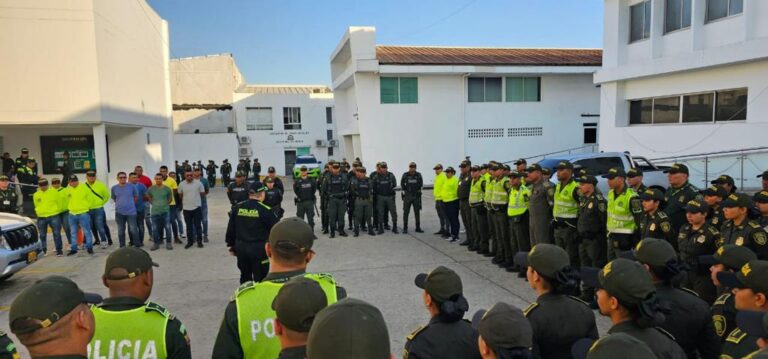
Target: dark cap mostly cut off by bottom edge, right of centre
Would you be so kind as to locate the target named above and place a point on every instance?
(612, 346)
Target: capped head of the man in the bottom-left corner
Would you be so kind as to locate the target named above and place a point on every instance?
(51, 318)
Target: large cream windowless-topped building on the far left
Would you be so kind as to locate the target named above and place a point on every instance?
(89, 77)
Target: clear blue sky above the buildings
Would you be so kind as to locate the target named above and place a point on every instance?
(290, 41)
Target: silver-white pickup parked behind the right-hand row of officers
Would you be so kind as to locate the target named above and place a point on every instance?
(598, 164)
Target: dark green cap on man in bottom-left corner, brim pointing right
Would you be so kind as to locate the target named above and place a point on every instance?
(45, 302)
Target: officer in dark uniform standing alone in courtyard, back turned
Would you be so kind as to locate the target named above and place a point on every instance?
(248, 230)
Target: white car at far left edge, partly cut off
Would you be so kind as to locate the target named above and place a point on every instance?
(19, 244)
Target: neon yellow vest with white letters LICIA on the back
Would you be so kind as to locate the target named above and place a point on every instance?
(135, 333)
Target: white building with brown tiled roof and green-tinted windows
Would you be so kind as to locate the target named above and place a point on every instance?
(439, 104)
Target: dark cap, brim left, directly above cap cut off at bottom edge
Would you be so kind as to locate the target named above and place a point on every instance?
(624, 279)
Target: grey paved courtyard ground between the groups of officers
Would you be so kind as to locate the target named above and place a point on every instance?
(195, 284)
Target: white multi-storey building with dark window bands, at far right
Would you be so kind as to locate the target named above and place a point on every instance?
(685, 77)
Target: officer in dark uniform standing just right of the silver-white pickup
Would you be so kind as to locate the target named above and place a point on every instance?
(680, 191)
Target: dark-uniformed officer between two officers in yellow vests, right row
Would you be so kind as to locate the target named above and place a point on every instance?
(593, 211)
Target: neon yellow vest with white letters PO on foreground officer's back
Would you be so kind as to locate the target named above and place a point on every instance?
(256, 318)
